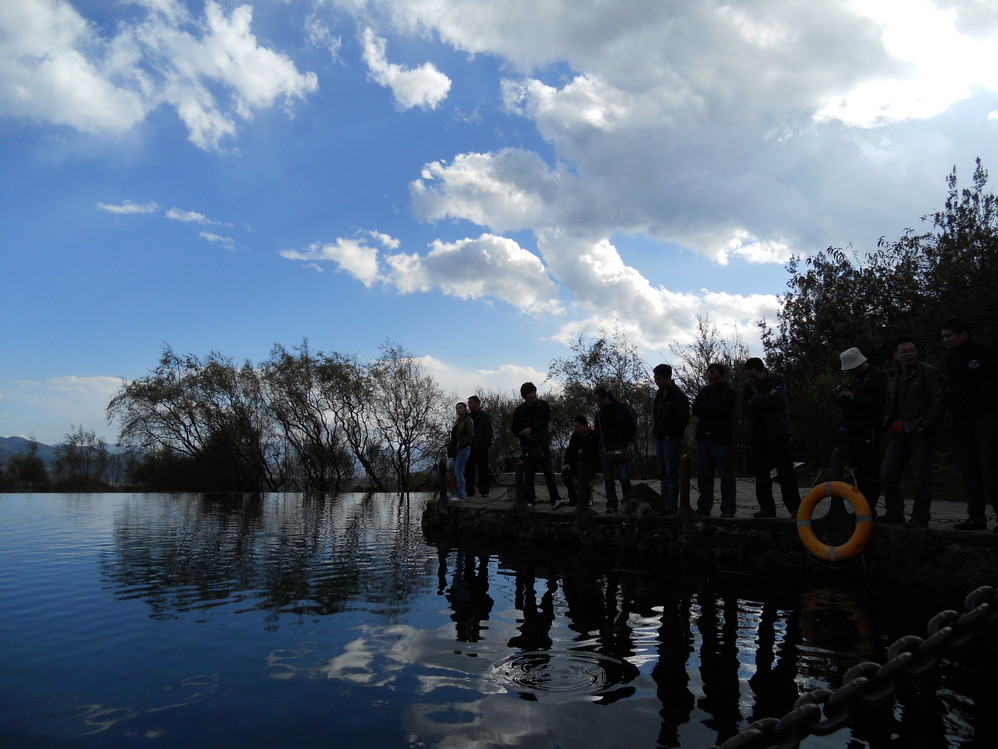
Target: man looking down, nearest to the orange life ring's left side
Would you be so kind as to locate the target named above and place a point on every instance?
(764, 403)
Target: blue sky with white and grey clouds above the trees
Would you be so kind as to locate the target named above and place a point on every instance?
(481, 181)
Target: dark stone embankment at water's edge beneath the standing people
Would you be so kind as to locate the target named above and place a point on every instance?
(938, 557)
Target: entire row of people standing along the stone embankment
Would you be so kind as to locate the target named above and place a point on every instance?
(905, 408)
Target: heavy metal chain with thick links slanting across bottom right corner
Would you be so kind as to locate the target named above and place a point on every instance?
(824, 711)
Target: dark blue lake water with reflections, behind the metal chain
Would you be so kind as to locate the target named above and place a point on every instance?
(167, 620)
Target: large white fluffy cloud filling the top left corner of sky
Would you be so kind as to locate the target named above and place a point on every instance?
(57, 67)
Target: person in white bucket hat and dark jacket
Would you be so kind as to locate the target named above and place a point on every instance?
(862, 401)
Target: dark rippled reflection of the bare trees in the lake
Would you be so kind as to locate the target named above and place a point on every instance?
(298, 554)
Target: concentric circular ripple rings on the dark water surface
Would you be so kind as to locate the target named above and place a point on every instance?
(563, 675)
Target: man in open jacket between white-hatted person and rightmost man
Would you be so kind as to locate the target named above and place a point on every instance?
(916, 409)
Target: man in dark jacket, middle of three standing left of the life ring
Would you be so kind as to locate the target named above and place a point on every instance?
(714, 407)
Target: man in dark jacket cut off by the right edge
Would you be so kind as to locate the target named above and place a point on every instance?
(972, 367)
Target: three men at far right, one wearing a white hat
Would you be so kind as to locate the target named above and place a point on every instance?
(909, 407)
